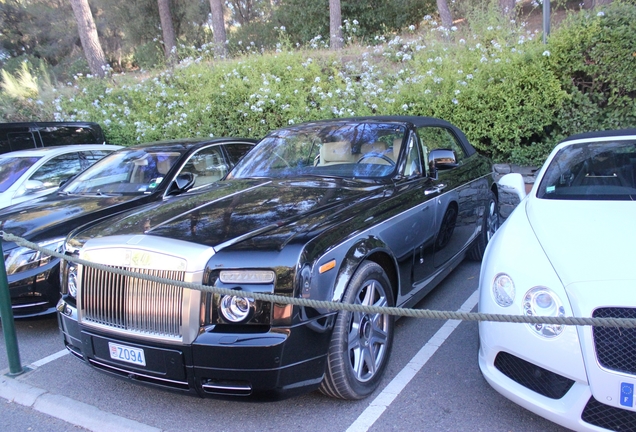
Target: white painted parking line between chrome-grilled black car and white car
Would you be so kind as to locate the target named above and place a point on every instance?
(392, 391)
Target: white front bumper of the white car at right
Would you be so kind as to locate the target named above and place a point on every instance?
(565, 396)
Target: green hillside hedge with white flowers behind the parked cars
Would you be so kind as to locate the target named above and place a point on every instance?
(514, 96)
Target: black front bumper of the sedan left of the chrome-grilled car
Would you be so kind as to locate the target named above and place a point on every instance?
(36, 291)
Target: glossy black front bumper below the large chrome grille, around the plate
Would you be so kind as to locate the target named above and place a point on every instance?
(273, 364)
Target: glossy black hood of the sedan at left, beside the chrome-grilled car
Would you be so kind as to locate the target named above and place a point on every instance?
(56, 215)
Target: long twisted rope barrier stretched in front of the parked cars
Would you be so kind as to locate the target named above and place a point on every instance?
(338, 306)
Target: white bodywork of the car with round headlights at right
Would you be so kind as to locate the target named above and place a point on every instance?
(583, 250)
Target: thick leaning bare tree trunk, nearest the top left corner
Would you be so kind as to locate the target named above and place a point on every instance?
(88, 36)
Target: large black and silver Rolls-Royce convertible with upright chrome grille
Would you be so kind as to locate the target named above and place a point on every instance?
(374, 211)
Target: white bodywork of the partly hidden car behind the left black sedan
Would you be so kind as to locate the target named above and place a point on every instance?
(23, 187)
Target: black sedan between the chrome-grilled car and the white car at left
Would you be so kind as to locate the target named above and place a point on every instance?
(123, 180)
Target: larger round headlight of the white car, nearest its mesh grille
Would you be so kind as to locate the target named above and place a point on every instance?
(542, 302)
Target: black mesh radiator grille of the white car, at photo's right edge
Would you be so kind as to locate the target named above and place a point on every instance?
(615, 347)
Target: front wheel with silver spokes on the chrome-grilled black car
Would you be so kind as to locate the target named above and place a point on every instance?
(361, 343)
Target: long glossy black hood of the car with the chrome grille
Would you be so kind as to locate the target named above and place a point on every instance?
(263, 214)
